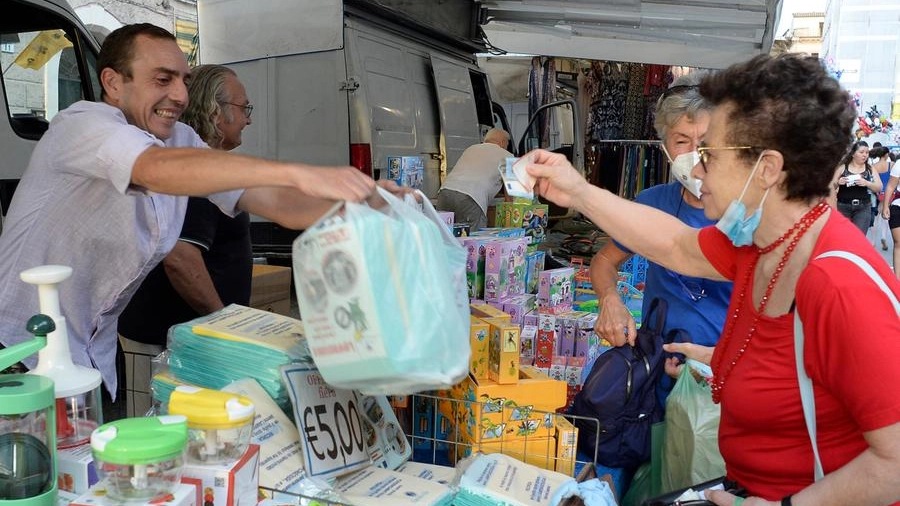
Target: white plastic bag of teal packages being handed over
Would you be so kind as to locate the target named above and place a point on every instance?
(382, 296)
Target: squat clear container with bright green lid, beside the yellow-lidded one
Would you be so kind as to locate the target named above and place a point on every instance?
(140, 458)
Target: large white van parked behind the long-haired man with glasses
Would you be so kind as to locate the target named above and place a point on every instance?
(349, 82)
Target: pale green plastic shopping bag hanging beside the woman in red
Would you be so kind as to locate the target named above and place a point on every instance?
(691, 448)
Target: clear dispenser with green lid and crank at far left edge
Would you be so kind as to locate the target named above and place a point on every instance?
(27, 431)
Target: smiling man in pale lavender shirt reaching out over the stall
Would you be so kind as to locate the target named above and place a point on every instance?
(99, 193)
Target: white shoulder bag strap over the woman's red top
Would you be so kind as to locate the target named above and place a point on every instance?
(806, 389)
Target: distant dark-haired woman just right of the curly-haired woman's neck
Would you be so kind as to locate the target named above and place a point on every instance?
(855, 181)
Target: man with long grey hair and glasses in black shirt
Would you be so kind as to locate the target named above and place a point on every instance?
(211, 264)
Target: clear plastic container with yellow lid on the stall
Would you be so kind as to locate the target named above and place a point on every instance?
(219, 423)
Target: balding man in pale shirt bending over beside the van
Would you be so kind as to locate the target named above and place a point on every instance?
(475, 180)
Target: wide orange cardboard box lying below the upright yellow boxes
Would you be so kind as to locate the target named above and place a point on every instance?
(484, 410)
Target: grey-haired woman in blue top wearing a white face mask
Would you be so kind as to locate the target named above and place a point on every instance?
(695, 305)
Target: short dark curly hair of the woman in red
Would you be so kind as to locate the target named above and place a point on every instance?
(788, 103)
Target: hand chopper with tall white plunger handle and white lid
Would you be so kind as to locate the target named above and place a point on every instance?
(78, 410)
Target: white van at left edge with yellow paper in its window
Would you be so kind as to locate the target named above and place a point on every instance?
(48, 61)
